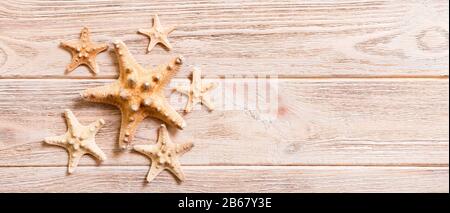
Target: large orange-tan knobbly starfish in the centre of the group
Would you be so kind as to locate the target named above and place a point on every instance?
(138, 93)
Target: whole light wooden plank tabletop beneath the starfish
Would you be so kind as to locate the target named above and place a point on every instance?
(362, 95)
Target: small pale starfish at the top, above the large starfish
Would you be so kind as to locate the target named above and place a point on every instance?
(157, 34)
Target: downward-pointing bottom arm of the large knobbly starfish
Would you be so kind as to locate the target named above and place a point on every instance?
(128, 127)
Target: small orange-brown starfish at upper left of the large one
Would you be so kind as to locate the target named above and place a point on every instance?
(83, 52)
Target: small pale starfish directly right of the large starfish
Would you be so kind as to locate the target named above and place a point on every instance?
(197, 92)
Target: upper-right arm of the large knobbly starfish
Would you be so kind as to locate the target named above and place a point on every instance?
(167, 72)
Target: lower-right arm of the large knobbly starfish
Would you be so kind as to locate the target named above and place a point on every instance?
(167, 114)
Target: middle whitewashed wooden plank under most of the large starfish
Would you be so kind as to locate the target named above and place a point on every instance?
(318, 122)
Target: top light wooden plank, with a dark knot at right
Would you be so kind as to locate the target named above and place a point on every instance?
(288, 38)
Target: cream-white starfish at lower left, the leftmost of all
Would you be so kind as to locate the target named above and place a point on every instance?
(78, 140)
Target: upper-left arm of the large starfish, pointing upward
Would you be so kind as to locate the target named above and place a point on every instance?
(126, 61)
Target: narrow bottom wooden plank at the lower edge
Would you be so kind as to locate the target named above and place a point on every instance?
(228, 179)
